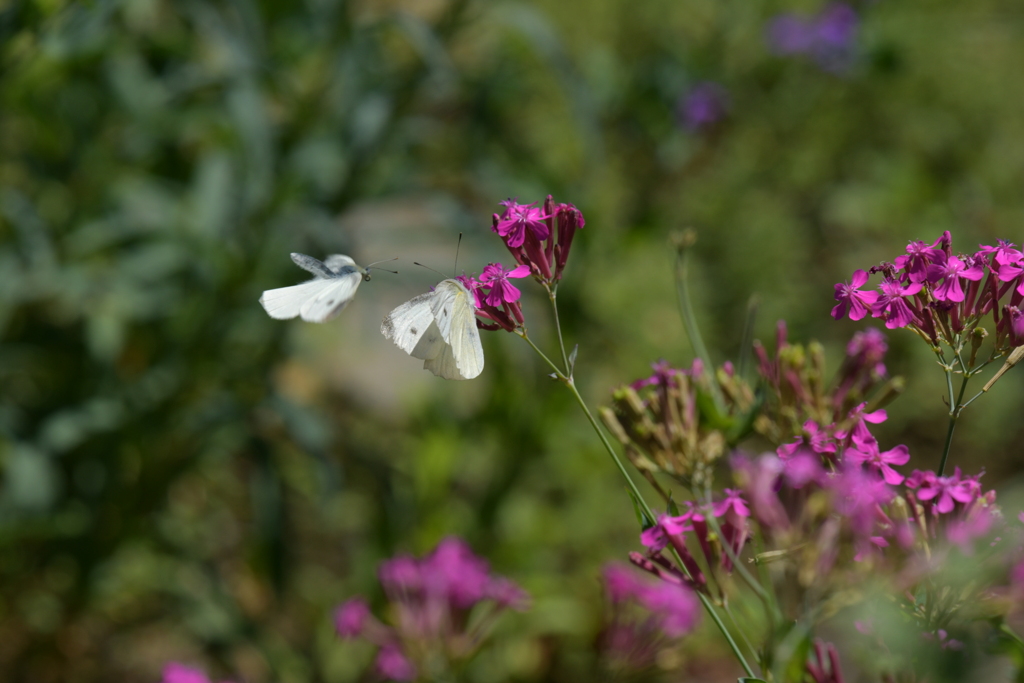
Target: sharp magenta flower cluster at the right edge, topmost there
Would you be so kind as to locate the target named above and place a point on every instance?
(942, 294)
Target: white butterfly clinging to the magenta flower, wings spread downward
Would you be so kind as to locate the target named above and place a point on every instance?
(440, 327)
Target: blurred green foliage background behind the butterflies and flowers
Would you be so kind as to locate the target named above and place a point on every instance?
(184, 478)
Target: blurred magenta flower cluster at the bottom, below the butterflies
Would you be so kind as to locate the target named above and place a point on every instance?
(432, 602)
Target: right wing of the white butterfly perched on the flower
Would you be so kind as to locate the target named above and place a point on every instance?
(455, 315)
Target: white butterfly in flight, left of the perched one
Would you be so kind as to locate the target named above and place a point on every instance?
(322, 298)
